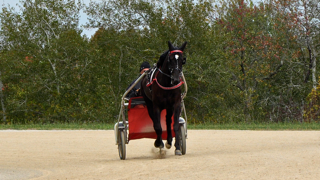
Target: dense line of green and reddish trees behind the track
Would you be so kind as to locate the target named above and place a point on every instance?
(246, 61)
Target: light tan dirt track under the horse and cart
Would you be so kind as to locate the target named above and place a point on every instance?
(210, 155)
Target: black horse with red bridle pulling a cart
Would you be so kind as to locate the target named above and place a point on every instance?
(162, 91)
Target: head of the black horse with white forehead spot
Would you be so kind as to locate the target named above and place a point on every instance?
(174, 61)
